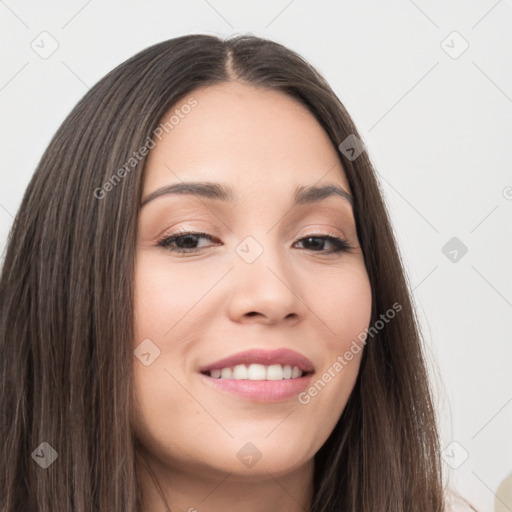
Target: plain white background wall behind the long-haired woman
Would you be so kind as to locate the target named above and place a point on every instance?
(438, 129)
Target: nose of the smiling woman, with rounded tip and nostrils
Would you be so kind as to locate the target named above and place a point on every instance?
(266, 291)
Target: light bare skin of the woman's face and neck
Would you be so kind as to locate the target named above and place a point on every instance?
(204, 306)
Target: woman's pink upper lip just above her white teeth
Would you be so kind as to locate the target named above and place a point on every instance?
(281, 356)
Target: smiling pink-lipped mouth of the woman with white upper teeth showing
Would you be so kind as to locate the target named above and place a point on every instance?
(260, 375)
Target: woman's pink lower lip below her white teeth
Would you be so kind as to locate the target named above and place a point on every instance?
(261, 390)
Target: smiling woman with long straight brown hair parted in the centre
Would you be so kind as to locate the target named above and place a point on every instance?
(203, 305)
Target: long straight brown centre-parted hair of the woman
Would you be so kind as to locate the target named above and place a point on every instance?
(66, 302)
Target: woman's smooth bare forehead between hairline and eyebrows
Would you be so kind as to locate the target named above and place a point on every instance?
(251, 137)
